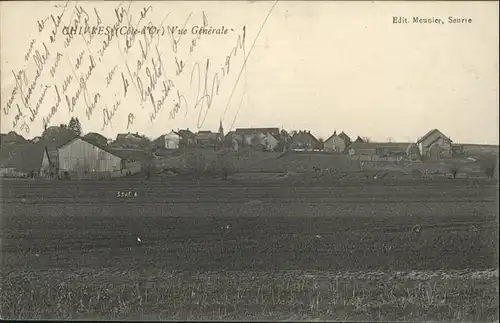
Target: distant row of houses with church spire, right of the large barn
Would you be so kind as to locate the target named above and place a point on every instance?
(271, 139)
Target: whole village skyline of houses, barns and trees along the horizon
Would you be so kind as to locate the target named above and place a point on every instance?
(63, 152)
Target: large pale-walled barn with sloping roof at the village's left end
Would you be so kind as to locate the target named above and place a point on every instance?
(79, 158)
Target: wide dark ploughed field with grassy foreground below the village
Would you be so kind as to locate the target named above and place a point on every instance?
(379, 251)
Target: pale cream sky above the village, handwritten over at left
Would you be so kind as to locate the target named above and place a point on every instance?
(318, 66)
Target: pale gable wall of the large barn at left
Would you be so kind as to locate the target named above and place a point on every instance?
(79, 155)
